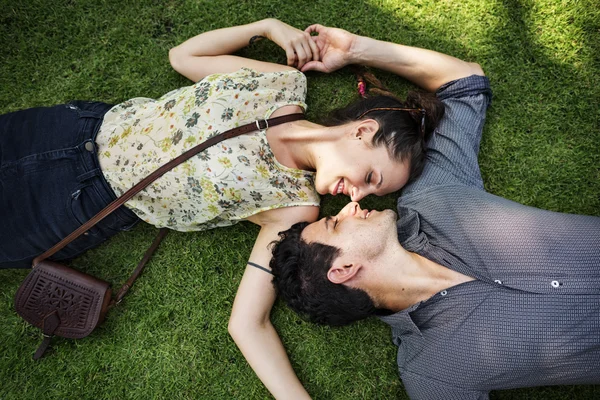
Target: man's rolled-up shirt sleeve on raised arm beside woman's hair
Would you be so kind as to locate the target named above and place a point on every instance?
(452, 151)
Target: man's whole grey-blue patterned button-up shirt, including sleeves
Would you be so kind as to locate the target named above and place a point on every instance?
(532, 316)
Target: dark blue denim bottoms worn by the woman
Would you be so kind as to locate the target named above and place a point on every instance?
(51, 182)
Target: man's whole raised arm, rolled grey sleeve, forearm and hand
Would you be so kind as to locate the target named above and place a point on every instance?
(462, 87)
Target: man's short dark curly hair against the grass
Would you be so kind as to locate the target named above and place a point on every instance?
(300, 278)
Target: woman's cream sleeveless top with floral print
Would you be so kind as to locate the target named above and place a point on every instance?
(223, 184)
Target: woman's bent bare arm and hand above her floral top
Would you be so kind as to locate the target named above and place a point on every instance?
(209, 52)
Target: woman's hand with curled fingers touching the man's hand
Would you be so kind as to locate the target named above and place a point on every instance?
(298, 45)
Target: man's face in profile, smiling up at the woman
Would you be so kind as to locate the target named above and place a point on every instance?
(361, 234)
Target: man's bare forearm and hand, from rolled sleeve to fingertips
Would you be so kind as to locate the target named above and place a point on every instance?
(425, 68)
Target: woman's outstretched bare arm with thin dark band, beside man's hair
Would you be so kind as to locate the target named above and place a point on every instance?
(250, 325)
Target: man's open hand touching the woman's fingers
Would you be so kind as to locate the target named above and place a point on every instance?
(335, 46)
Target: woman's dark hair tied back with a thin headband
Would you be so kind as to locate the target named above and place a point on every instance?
(399, 131)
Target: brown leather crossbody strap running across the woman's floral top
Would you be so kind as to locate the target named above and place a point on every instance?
(251, 127)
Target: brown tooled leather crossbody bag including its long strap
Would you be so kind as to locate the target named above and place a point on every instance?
(65, 302)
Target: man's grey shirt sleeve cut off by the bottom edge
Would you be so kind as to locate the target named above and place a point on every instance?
(425, 388)
